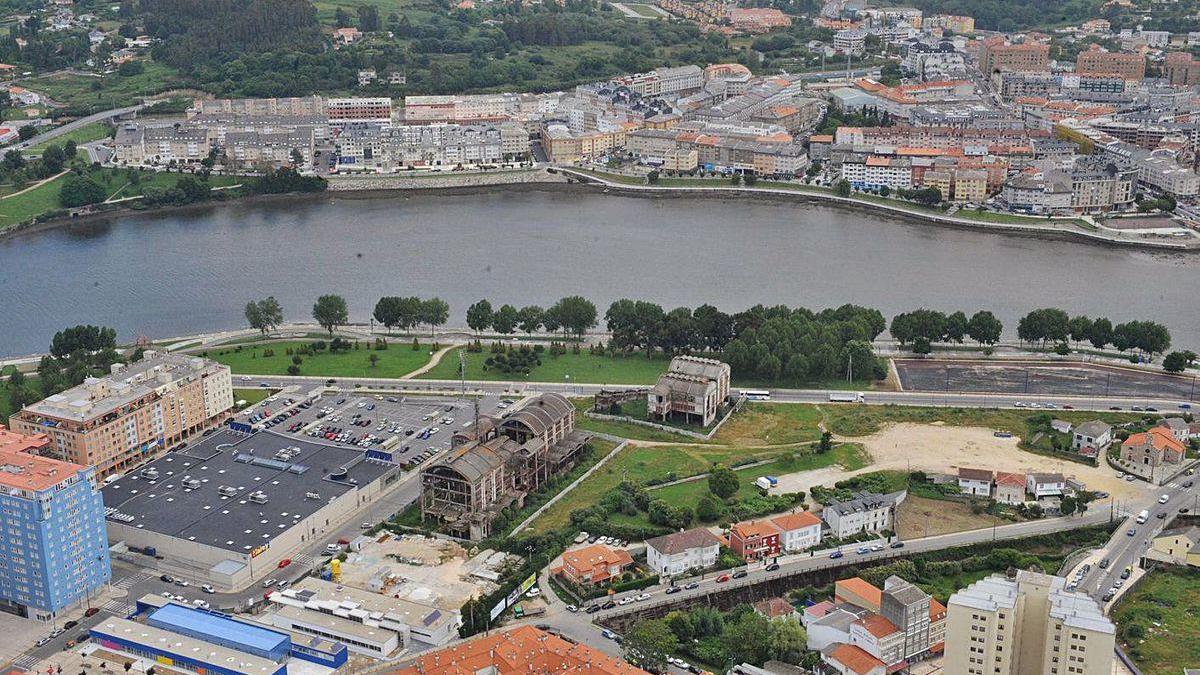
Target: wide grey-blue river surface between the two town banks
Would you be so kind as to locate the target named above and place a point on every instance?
(176, 273)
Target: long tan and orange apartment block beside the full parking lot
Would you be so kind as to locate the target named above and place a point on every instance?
(134, 415)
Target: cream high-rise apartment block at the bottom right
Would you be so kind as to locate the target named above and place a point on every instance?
(1027, 625)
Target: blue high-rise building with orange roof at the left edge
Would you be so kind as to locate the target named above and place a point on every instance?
(53, 547)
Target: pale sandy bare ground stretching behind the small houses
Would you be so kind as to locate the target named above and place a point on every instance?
(937, 449)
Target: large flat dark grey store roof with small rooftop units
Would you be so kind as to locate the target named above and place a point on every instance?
(184, 501)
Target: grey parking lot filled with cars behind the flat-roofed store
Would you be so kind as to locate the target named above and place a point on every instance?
(412, 429)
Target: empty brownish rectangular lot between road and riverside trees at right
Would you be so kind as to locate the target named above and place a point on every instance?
(1035, 379)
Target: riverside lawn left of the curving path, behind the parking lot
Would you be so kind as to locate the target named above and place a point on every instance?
(394, 362)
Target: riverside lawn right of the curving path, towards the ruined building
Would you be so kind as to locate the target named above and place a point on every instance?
(567, 368)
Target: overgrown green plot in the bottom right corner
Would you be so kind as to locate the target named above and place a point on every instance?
(1160, 620)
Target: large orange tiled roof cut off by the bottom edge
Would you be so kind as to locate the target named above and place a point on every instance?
(521, 652)
